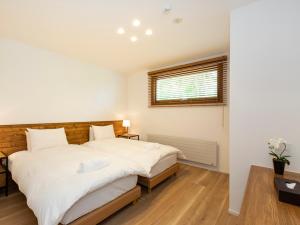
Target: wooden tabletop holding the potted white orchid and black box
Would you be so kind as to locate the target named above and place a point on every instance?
(261, 205)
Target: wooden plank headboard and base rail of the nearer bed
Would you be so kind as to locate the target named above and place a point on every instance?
(13, 139)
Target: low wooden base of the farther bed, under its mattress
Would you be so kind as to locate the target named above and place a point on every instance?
(152, 182)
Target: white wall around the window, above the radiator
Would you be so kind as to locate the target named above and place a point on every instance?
(203, 122)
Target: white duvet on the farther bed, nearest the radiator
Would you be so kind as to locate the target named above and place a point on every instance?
(144, 154)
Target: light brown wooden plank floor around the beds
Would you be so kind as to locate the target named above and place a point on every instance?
(195, 197)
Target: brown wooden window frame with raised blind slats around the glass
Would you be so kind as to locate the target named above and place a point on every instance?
(211, 64)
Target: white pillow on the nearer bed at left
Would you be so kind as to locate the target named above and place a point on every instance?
(47, 138)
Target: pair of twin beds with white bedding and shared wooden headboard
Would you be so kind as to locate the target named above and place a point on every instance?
(59, 192)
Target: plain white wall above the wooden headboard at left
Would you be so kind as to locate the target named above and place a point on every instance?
(41, 86)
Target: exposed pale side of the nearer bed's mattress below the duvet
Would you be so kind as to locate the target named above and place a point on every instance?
(99, 198)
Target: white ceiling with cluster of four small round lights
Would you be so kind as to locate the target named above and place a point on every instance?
(86, 29)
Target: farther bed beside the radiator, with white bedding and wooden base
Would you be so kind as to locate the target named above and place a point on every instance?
(158, 162)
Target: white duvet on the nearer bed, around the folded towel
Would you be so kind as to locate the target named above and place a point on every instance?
(50, 180)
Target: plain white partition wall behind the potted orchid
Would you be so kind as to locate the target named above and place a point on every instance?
(264, 85)
